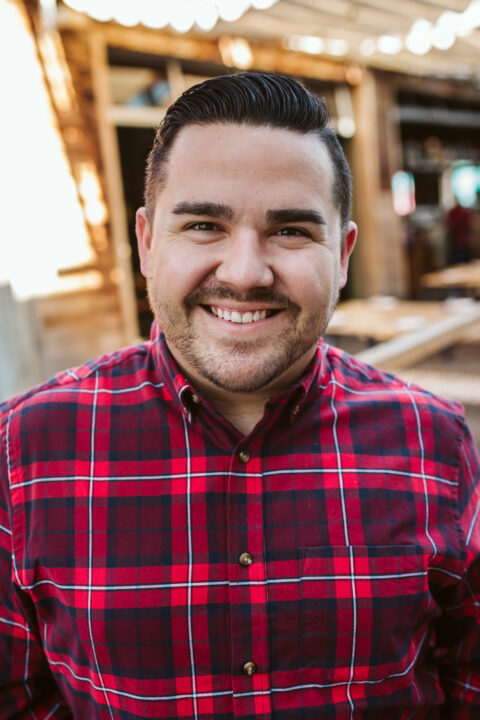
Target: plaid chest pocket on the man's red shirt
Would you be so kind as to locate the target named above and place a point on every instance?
(364, 613)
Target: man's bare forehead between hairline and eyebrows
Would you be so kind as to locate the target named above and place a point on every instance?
(229, 156)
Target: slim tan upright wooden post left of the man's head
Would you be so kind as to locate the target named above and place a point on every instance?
(114, 186)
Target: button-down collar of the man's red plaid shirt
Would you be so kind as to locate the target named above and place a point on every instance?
(187, 397)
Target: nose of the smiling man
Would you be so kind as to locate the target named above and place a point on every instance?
(244, 263)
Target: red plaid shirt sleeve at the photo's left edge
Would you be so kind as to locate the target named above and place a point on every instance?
(27, 687)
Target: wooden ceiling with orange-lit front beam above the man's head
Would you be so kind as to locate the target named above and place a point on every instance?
(353, 21)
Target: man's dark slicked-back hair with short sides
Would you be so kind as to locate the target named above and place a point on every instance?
(252, 99)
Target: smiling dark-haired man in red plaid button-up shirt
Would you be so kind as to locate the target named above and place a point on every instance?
(235, 520)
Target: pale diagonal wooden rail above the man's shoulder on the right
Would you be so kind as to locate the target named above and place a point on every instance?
(407, 350)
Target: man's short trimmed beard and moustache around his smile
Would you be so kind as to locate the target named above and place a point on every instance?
(239, 366)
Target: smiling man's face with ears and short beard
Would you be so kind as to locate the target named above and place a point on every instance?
(243, 259)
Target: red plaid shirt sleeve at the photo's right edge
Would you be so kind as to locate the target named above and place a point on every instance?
(458, 628)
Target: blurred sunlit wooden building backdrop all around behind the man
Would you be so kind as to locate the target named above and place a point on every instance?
(85, 82)
